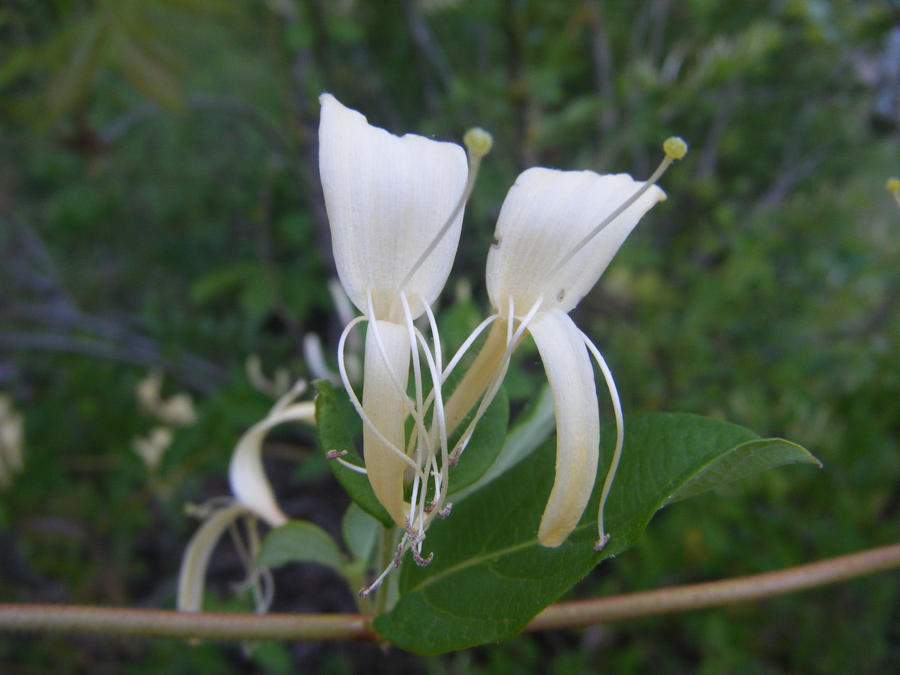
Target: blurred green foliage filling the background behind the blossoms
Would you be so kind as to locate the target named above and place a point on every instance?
(159, 207)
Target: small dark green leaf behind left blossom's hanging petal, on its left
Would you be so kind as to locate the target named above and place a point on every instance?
(339, 427)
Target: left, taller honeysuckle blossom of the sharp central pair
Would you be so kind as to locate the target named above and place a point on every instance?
(395, 207)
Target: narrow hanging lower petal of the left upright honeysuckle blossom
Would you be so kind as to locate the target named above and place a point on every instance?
(384, 389)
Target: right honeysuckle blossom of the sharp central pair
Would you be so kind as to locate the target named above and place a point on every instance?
(556, 233)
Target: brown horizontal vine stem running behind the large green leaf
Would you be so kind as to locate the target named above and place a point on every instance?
(162, 623)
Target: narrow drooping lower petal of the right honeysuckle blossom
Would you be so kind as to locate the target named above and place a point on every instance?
(571, 377)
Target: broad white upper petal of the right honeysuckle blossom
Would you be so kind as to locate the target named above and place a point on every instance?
(545, 214)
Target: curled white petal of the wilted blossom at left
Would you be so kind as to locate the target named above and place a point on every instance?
(246, 474)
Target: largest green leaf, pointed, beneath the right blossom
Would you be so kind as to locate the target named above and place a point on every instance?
(490, 575)
